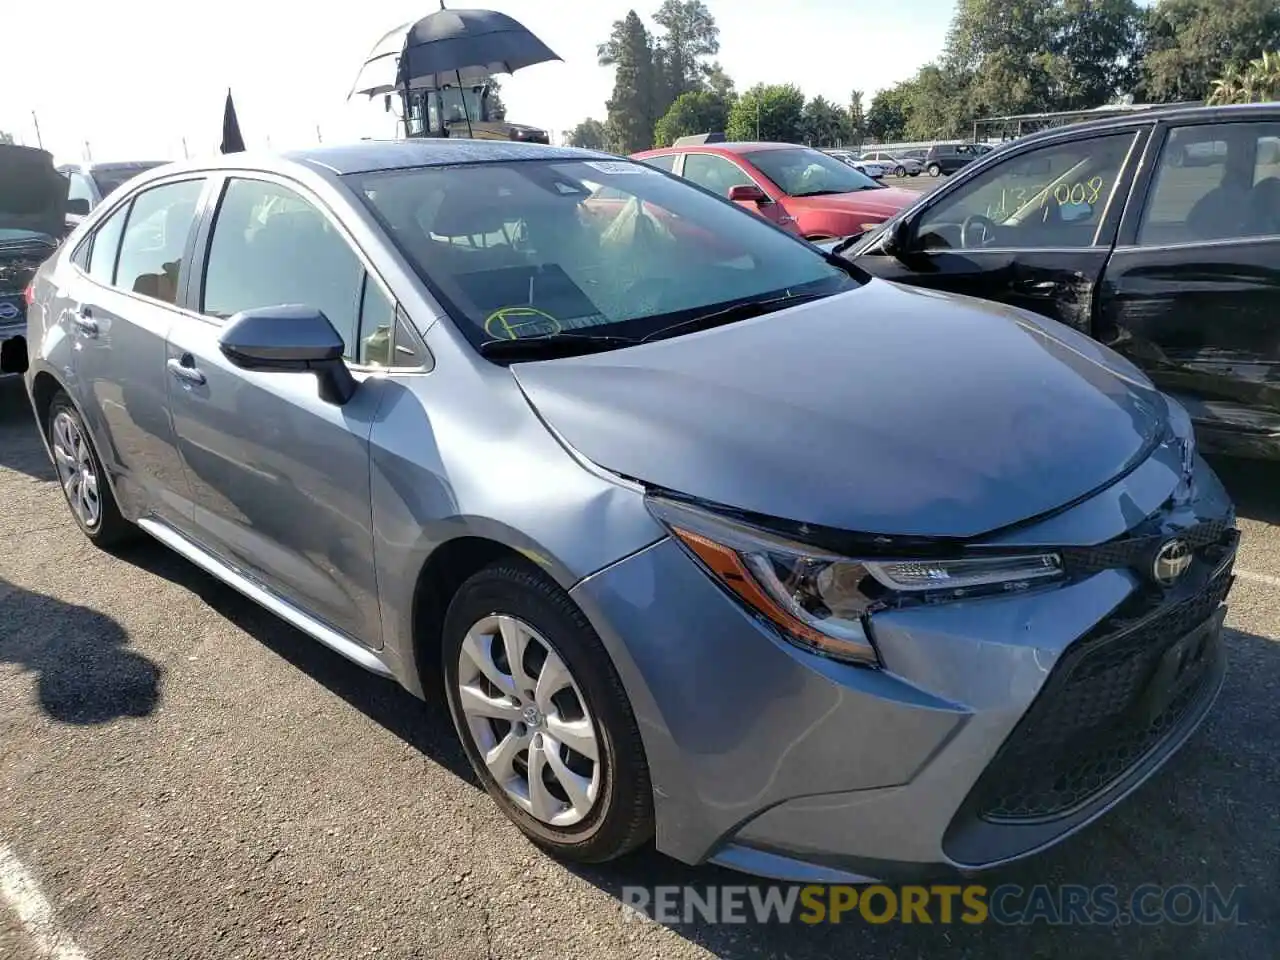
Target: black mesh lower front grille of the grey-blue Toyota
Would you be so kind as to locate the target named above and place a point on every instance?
(1090, 725)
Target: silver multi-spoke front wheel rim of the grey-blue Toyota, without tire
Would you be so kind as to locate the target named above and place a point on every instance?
(529, 720)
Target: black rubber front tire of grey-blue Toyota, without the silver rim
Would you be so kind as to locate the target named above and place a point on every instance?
(623, 816)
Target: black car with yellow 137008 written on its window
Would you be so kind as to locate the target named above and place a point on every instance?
(1158, 236)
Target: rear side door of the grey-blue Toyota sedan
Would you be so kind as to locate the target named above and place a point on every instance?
(124, 300)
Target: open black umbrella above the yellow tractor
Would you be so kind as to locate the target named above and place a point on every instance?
(447, 47)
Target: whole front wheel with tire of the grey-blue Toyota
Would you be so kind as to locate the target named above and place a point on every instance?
(543, 716)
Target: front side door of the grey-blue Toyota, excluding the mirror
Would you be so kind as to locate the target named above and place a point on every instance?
(280, 477)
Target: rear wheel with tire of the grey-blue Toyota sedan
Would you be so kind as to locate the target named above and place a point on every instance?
(84, 482)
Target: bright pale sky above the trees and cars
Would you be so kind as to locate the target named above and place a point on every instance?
(136, 79)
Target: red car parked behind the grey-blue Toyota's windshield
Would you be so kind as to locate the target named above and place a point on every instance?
(797, 188)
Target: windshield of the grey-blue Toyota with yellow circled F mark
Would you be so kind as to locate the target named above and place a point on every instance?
(537, 249)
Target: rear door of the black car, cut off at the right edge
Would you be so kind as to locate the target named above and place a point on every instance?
(1192, 292)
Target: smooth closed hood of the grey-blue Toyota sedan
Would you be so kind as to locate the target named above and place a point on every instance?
(886, 410)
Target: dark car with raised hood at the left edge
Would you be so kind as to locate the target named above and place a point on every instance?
(33, 222)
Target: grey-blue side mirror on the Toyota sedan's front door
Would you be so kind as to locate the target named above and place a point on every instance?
(290, 339)
